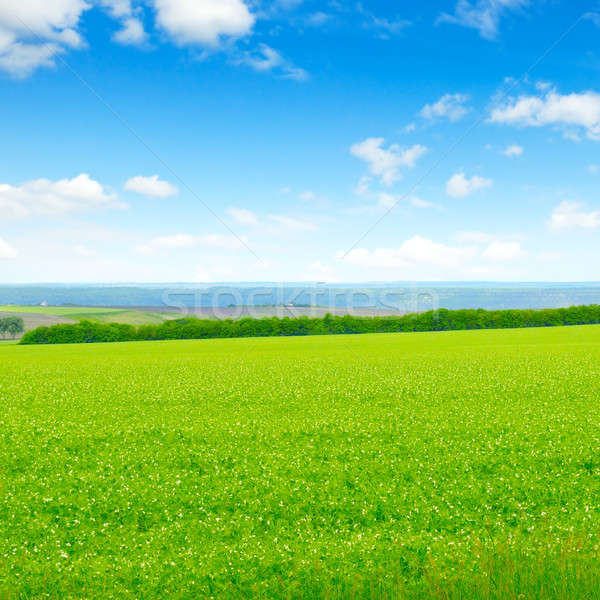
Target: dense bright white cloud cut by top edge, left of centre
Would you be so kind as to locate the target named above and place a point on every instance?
(205, 22)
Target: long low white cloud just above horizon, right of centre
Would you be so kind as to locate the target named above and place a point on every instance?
(415, 251)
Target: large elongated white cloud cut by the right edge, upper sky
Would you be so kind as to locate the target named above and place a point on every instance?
(568, 110)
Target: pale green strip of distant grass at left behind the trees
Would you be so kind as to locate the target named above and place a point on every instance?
(91, 313)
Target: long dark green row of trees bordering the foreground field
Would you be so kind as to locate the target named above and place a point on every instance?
(193, 328)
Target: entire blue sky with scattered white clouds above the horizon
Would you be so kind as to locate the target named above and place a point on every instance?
(239, 140)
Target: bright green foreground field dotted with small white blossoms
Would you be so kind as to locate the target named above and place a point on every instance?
(441, 465)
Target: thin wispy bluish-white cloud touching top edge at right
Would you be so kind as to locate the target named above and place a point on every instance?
(482, 15)
